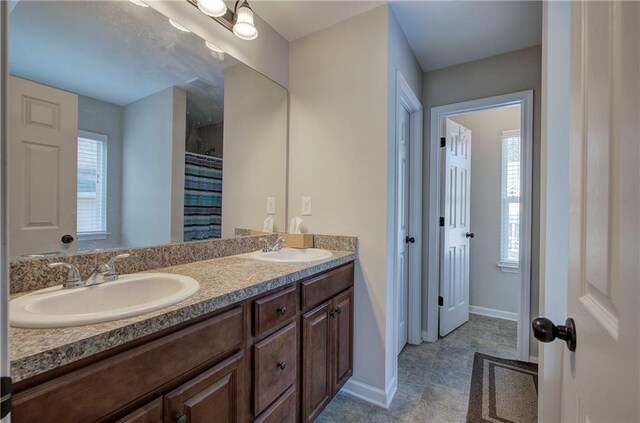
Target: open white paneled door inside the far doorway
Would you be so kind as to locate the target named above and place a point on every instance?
(454, 263)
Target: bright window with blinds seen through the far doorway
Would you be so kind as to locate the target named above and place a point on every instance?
(510, 215)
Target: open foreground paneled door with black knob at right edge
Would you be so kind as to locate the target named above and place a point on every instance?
(602, 378)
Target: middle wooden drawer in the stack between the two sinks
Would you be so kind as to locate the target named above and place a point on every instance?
(274, 366)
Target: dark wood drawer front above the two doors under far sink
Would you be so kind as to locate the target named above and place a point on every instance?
(315, 291)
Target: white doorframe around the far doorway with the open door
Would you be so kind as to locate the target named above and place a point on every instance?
(438, 114)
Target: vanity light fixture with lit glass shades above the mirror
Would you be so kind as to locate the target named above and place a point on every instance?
(240, 21)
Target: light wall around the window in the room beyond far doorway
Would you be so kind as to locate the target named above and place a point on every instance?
(489, 287)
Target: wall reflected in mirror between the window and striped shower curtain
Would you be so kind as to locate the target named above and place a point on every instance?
(153, 169)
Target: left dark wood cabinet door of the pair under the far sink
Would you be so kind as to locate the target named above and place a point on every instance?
(316, 361)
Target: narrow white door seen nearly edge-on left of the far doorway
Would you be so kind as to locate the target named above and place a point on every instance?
(402, 194)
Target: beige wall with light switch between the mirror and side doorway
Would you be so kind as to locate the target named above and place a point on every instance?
(339, 155)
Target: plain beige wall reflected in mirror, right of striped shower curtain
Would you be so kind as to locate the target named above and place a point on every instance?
(255, 150)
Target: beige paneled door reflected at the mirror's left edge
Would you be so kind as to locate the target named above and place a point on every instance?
(42, 174)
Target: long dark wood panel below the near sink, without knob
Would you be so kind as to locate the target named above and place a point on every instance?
(96, 391)
